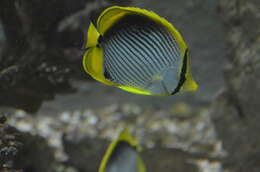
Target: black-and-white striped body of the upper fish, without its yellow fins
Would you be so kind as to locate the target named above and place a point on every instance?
(141, 53)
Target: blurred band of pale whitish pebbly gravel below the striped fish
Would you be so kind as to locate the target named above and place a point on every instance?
(182, 127)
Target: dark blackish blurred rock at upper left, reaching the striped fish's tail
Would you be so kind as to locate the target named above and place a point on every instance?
(38, 59)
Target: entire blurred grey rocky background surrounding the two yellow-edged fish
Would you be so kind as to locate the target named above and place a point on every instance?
(55, 118)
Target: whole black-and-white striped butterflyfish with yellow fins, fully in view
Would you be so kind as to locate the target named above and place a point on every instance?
(138, 51)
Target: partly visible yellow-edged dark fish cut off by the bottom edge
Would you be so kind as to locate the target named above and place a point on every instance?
(122, 155)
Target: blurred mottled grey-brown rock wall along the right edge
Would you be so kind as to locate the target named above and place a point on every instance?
(236, 110)
